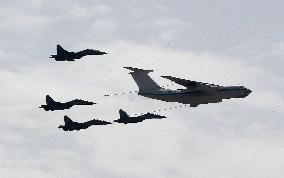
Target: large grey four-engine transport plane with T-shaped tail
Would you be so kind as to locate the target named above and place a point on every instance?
(195, 93)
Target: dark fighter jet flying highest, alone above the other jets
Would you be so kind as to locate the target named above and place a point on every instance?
(64, 55)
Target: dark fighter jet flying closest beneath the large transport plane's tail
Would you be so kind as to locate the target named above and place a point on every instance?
(125, 119)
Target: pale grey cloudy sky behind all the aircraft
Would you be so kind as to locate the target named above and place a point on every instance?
(221, 42)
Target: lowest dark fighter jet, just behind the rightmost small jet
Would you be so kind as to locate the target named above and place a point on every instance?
(71, 125)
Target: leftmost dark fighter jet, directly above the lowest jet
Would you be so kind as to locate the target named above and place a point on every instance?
(52, 105)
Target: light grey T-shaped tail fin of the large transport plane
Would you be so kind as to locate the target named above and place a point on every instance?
(145, 83)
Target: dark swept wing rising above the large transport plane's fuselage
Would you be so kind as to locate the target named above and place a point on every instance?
(192, 85)
